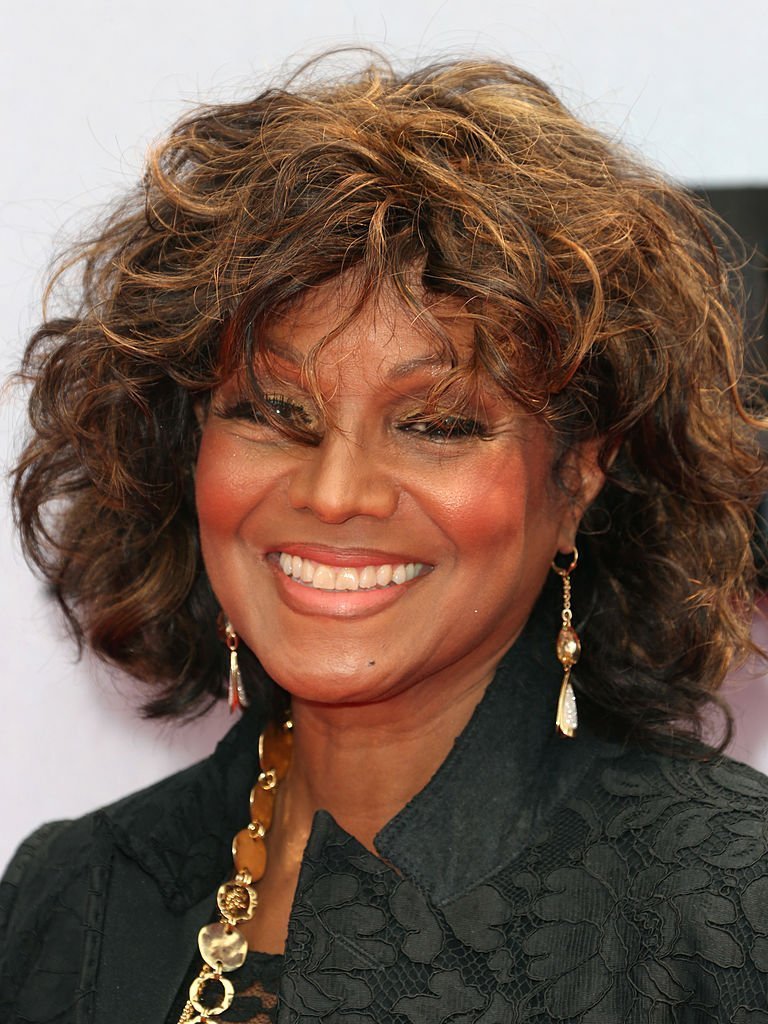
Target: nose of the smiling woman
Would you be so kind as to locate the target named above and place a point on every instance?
(342, 479)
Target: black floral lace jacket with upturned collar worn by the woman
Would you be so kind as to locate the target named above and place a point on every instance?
(533, 880)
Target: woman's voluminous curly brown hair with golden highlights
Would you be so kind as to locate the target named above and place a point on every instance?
(601, 301)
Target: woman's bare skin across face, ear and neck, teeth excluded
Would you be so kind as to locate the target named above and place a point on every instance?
(388, 677)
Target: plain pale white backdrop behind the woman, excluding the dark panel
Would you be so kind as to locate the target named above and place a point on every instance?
(87, 84)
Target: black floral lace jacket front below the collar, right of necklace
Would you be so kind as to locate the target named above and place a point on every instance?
(646, 900)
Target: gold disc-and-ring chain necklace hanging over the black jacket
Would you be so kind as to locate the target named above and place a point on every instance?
(222, 946)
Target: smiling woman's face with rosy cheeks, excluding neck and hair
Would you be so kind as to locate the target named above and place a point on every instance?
(417, 539)
